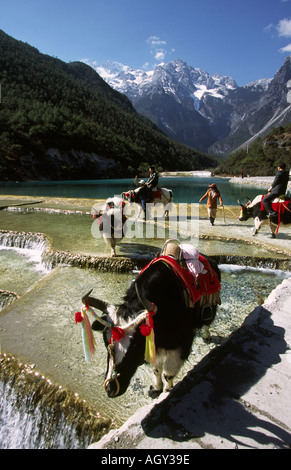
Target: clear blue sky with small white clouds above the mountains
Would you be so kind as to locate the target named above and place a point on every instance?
(246, 39)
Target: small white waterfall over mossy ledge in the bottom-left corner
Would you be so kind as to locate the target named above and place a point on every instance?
(36, 414)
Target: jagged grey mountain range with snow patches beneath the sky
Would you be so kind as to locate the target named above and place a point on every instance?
(191, 106)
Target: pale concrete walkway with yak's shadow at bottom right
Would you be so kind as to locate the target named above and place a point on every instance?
(237, 397)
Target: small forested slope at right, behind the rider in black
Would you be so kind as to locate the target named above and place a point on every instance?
(262, 156)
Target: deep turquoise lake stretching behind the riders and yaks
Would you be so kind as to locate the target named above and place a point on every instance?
(185, 189)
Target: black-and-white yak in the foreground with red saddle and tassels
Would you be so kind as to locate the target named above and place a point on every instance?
(173, 295)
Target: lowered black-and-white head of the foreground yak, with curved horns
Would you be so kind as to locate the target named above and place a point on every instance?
(122, 338)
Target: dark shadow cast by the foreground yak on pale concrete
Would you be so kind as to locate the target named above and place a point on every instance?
(210, 403)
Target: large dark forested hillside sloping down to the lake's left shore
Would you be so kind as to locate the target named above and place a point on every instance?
(48, 104)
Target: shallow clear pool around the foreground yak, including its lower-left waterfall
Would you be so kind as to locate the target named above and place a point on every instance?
(39, 325)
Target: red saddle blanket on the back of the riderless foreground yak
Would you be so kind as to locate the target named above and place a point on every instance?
(205, 285)
